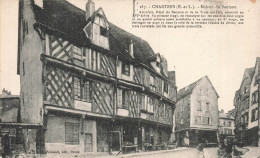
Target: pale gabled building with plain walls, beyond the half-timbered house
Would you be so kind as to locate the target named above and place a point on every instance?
(196, 114)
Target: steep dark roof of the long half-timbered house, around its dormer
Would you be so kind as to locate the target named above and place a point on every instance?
(62, 16)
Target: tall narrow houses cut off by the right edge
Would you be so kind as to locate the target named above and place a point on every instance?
(246, 107)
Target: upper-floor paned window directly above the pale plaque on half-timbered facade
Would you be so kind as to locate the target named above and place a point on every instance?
(82, 90)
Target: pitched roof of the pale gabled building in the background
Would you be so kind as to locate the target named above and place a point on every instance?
(188, 89)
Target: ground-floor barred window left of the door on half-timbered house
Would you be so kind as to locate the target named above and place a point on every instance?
(71, 133)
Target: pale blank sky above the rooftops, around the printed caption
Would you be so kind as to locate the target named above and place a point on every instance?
(220, 52)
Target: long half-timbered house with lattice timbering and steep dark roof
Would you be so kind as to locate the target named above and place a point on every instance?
(90, 85)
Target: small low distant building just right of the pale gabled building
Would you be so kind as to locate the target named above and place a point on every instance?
(226, 125)
